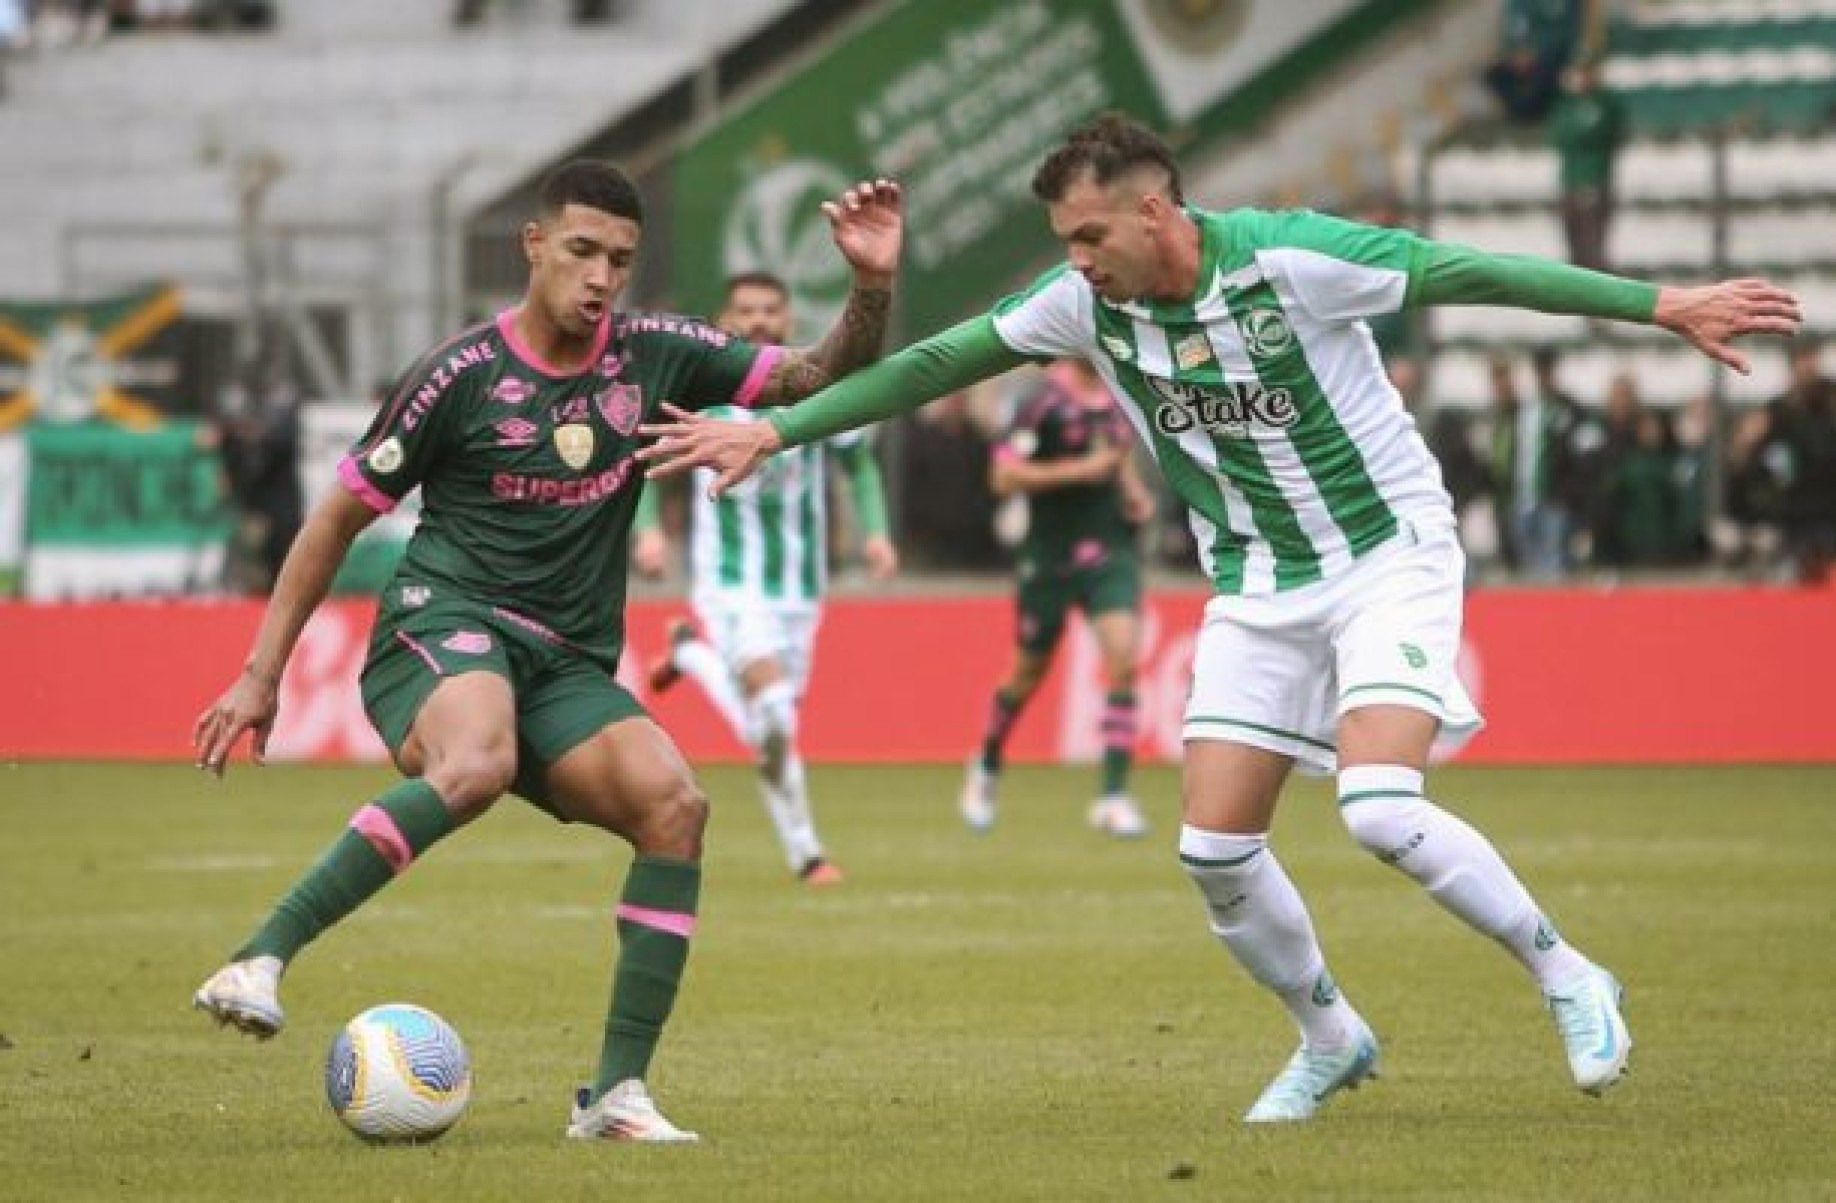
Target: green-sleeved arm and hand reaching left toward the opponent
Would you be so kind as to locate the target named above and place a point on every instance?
(917, 376)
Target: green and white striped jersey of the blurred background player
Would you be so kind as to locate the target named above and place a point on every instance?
(767, 537)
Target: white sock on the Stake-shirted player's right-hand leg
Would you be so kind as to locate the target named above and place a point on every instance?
(1387, 815)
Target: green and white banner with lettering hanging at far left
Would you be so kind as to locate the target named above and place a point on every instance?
(122, 513)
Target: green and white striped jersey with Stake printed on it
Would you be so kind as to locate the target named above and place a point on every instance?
(1262, 398)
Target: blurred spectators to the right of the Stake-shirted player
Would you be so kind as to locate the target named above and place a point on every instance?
(1549, 484)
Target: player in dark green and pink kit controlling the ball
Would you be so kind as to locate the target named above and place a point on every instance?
(491, 666)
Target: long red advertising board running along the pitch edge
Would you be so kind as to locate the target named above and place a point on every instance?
(1565, 677)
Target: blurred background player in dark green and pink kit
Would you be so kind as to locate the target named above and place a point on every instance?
(1069, 453)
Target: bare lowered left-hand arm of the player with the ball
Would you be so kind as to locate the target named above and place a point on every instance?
(306, 578)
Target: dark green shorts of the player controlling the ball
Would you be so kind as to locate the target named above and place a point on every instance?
(563, 699)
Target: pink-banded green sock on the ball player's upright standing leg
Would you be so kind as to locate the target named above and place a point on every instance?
(656, 919)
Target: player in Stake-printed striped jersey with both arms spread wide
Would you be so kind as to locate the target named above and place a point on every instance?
(1242, 348)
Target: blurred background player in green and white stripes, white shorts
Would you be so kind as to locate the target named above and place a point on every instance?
(759, 563)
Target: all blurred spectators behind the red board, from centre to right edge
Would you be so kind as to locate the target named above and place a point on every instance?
(1547, 486)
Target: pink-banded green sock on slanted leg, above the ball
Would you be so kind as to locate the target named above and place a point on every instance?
(383, 840)
